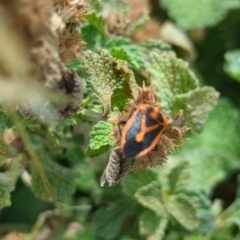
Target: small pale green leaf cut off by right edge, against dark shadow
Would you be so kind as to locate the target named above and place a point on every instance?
(232, 64)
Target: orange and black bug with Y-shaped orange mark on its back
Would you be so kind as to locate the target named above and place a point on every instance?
(143, 130)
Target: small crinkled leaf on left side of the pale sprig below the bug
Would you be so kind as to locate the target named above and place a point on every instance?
(150, 197)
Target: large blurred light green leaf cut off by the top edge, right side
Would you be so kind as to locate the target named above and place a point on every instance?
(195, 14)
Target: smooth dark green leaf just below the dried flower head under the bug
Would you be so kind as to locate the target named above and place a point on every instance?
(134, 181)
